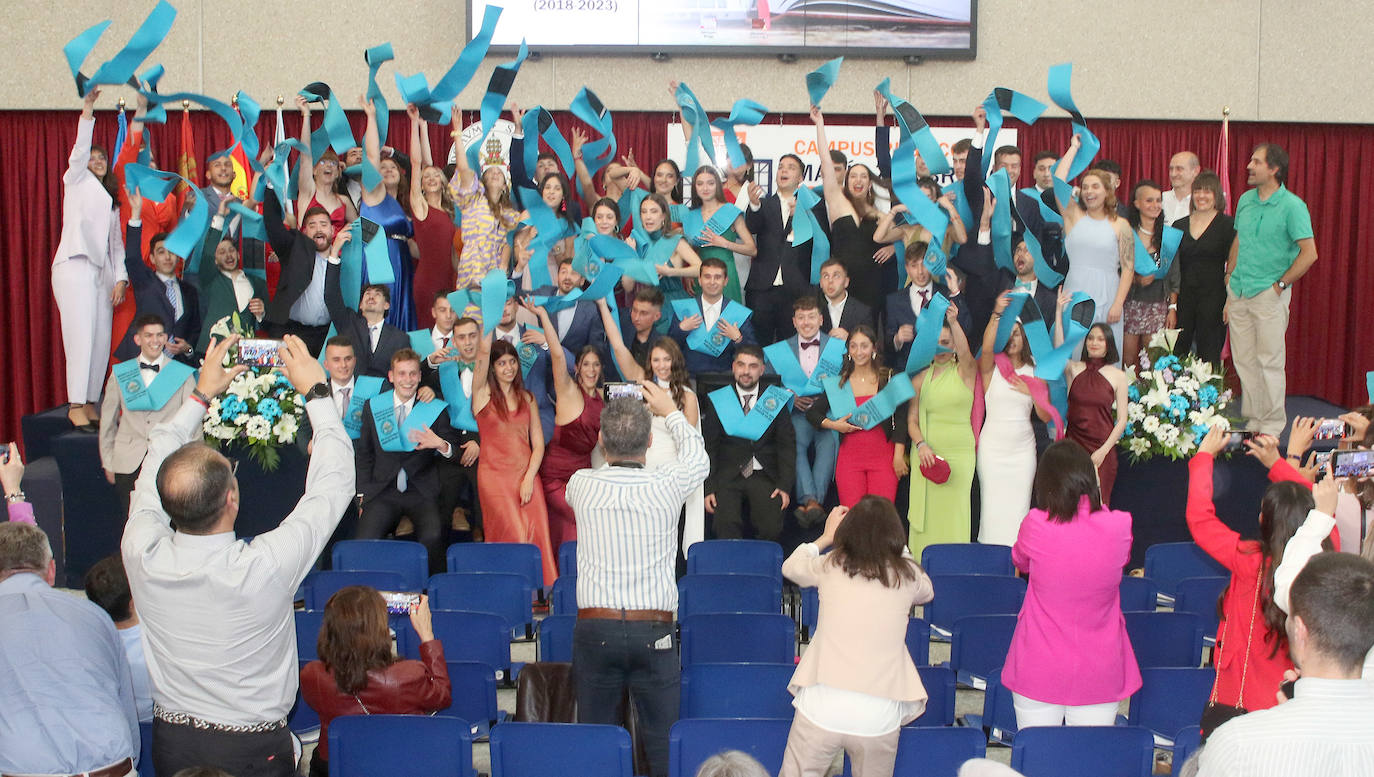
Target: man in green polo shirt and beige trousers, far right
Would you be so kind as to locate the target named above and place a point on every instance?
(1272, 251)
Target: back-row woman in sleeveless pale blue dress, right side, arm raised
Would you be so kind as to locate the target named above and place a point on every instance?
(1101, 245)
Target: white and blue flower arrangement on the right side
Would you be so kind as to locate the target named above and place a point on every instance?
(1174, 402)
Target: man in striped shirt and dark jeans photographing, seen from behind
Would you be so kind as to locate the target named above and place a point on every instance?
(627, 548)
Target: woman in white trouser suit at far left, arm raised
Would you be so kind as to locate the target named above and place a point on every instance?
(89, 275)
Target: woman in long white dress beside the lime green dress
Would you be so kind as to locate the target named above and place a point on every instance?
(1006, 443)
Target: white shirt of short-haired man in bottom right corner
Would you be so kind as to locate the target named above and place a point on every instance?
(1325, 730)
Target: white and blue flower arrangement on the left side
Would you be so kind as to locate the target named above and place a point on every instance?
(262, 410)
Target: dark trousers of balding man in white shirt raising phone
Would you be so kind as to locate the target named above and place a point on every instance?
(177, 747)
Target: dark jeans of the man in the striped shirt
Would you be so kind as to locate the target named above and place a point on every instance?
(613, 656)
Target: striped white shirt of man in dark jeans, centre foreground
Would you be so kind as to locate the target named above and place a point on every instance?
(627, 525)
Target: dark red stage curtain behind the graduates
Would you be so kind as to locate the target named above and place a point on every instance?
(1328, 351)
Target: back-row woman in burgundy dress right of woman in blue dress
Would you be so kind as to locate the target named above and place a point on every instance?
(432, 213)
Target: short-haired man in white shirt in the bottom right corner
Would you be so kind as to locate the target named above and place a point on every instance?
(1325, 728)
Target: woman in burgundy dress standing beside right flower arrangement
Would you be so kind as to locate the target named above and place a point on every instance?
(1096, 386)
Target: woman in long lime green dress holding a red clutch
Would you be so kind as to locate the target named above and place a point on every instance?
(941, 426)
